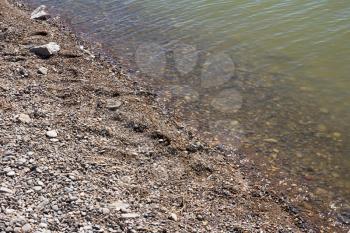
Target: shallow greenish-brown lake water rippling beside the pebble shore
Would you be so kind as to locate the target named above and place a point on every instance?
(269, 77)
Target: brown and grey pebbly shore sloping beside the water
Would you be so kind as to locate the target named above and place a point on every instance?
(85, 148)
